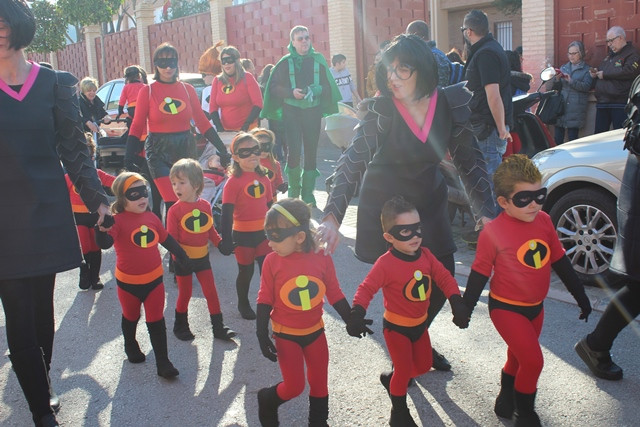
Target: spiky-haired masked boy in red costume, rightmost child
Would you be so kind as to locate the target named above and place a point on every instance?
(520, 246)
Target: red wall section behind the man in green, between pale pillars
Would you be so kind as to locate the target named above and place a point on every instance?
(260, 30)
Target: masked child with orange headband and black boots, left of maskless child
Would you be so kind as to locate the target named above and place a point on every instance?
(135, 236)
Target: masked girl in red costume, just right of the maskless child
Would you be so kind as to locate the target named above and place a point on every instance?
(245, 200)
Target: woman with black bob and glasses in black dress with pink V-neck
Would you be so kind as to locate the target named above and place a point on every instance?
(398, 145)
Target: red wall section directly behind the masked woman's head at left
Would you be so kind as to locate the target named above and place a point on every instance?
(190, 35)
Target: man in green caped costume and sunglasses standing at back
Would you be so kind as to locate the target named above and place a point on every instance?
(300, 91)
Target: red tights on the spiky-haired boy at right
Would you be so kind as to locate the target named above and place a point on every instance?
(524, 355)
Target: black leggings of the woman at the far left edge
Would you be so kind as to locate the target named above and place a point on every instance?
(28, 309)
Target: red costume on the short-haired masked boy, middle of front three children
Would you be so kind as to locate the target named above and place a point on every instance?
(406, 282)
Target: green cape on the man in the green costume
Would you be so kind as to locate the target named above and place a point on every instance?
(272, 106)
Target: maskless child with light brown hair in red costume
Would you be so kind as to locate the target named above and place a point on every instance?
(191, 222)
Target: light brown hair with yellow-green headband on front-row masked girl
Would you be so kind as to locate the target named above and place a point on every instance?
(285, 216)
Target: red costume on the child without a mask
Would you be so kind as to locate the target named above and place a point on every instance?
(192, 226)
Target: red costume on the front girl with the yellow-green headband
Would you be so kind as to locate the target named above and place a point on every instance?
(295, 286)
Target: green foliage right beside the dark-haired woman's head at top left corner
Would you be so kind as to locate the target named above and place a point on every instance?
(50, 27)
